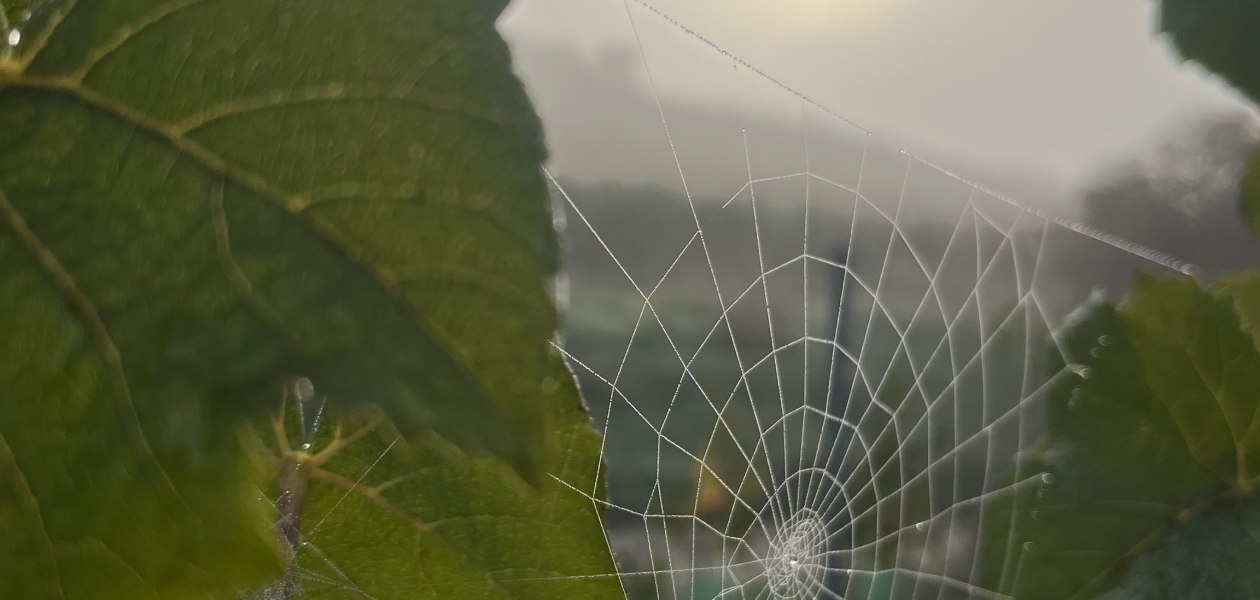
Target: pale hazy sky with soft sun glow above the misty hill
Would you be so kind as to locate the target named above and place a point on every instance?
(1062, 88)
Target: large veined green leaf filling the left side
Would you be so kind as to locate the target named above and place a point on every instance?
(202, 200)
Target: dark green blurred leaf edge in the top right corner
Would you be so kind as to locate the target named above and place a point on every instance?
(1219, 35)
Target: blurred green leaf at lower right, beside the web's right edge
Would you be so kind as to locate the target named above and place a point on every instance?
(1156, 436)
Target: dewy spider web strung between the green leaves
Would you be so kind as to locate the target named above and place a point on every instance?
(812, 384)
